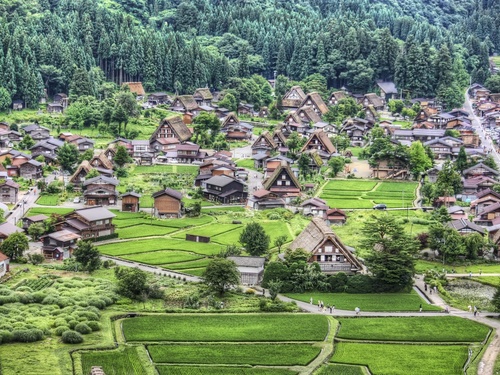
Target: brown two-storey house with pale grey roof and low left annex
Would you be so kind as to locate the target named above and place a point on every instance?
(90, 222)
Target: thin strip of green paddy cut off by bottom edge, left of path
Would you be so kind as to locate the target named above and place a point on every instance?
(211, 370)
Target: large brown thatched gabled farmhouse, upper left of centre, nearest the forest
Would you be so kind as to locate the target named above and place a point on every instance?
(171, 130)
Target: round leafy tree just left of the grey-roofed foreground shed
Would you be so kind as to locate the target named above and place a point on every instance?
(220, 275)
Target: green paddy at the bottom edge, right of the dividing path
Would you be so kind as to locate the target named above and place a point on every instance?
(393, 359)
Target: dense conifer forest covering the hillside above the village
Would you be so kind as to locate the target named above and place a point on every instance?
(425, 46)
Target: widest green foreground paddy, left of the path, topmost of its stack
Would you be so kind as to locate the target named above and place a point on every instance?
(226, 327)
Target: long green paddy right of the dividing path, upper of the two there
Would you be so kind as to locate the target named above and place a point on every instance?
(418, 329)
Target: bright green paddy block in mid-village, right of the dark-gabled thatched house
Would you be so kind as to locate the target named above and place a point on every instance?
(363, 194)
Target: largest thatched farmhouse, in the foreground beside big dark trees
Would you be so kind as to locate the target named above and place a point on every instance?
(326, 248)
